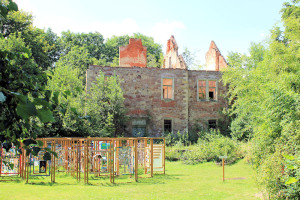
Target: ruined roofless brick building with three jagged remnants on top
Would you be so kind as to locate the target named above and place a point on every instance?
(171, 98)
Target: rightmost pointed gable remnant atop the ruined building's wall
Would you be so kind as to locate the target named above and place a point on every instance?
(214, 59)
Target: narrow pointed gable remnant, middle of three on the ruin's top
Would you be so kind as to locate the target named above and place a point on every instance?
(172, 59)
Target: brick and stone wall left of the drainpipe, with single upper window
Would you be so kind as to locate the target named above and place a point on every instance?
(143, 95)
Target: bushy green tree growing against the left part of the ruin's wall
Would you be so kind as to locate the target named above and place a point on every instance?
(105, 106)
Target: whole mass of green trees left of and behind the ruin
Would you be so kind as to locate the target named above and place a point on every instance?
(42, 90)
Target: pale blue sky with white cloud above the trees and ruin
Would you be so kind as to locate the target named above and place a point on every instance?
(232, 24)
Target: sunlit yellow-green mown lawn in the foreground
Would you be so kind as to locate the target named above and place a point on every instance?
(201, 181)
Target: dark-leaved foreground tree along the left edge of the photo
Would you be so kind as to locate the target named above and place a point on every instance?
(25, 104)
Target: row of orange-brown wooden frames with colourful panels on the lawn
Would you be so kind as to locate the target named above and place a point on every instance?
(112, 157)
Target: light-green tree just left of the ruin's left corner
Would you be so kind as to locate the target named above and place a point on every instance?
(66, 80)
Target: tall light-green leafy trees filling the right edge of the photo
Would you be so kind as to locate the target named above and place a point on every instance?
(265, 95)
